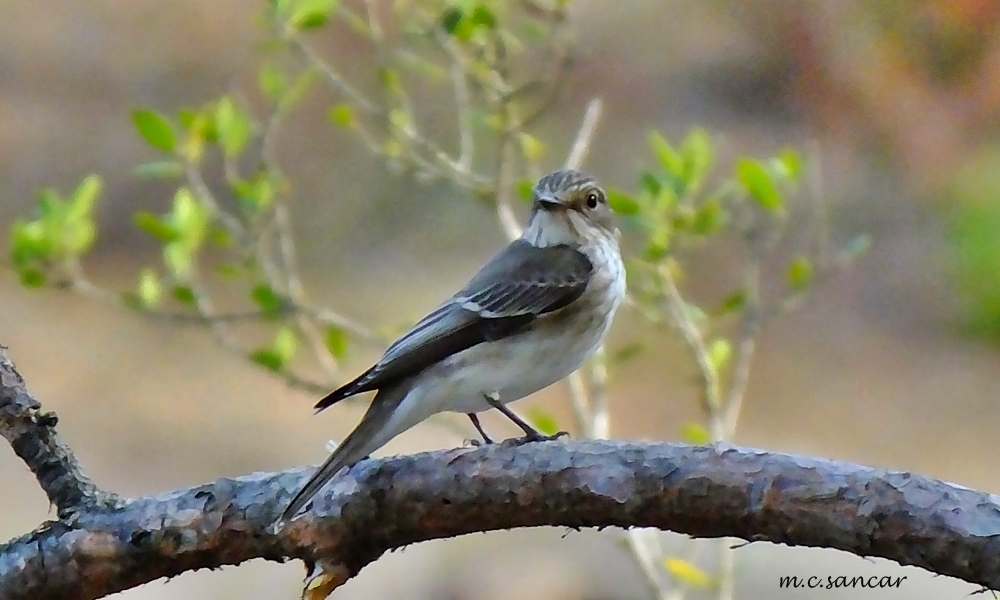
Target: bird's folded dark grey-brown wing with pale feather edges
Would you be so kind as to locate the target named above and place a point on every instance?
(515, 287)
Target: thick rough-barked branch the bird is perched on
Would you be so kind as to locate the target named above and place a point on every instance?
(385, 504)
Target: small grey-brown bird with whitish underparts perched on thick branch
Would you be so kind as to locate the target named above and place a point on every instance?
(528, 318)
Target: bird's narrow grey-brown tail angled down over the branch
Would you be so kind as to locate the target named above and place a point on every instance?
(368, 436)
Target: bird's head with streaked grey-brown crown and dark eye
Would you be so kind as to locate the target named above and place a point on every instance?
(569, 207)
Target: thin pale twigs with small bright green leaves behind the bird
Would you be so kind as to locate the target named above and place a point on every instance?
(501, 66)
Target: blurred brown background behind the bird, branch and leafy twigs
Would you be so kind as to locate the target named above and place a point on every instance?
(892, 363)
